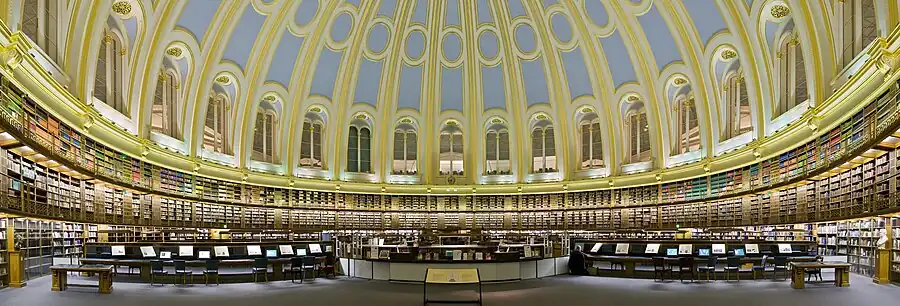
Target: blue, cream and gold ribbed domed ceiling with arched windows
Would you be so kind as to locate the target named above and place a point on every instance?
(458, 91)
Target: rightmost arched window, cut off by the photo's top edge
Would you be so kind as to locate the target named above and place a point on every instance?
(858, 27)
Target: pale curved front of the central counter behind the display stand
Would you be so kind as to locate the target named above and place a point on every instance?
(489, 271)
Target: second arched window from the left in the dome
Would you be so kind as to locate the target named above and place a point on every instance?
(109, 78)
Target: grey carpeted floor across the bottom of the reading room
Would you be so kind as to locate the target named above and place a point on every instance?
(567, 290)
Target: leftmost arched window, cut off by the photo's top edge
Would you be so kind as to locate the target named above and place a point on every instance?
(40, 22)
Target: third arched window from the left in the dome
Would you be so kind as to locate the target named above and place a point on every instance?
(164, 116)
